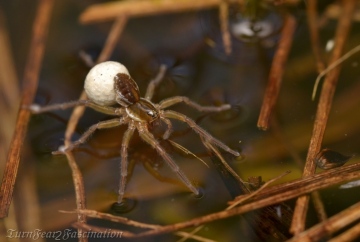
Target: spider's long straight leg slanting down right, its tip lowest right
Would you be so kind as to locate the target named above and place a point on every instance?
(150, 139)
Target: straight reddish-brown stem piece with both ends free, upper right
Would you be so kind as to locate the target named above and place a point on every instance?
(276, 72)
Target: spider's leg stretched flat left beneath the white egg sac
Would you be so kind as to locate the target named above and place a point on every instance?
(35, 108)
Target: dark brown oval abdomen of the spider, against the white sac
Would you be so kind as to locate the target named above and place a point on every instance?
(126, 90)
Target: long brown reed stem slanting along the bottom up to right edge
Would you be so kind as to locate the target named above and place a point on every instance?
(270, 196)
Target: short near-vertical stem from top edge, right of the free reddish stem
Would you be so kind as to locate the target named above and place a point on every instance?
(314, 34)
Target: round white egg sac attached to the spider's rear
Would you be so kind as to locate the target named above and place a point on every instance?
(99, 83)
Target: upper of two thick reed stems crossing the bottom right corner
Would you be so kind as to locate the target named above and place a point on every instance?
(330, 226)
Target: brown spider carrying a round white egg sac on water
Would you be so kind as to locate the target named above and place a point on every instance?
(109, 83)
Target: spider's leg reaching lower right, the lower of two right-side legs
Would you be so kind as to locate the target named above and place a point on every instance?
(203, 133)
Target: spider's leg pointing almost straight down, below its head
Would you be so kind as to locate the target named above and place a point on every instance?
(124, 161)
